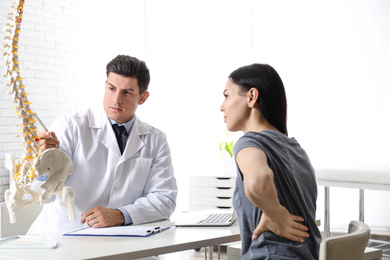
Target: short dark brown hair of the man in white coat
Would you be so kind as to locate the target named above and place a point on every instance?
(128, 66)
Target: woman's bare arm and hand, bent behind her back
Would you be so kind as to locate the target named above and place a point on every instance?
(260, 189)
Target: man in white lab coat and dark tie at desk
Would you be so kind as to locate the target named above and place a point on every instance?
(120, 180)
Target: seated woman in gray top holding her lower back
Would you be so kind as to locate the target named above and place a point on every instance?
(276, 191)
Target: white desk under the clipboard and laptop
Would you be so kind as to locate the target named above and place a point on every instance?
(172, 240)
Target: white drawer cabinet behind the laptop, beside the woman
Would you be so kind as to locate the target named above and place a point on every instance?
(207, 192)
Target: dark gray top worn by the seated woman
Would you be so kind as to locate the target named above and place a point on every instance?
(297, 191)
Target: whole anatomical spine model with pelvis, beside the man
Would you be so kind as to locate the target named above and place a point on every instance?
(25, 171)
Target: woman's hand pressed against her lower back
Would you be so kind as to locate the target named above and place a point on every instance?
(283, 224)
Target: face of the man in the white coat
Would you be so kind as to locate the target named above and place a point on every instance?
(122, 97)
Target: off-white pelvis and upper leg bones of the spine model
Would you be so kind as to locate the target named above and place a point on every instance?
(57, 166)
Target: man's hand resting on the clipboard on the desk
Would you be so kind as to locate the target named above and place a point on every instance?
(99, 217)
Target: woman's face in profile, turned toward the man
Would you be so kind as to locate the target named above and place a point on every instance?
(235, 107)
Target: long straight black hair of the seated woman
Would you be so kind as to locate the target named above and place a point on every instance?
(272, 101)
